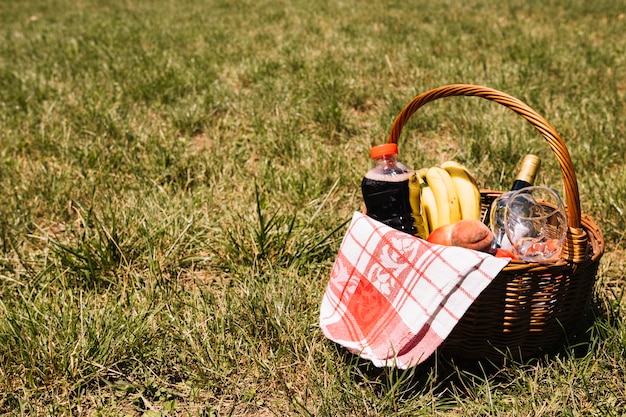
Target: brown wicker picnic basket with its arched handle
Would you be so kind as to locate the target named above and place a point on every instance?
(529, 307)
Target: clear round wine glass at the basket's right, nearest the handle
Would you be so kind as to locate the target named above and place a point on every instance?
(535, 223)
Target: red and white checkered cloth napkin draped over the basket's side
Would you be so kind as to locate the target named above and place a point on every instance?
(393, 298)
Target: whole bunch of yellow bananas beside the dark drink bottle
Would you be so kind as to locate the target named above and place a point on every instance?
(443, 195)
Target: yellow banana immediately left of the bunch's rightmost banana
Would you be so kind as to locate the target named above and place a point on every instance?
(447, 201)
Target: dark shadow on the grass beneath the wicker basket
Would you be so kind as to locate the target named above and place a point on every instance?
(448, 378)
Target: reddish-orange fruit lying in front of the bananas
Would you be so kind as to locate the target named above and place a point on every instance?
(466, 233)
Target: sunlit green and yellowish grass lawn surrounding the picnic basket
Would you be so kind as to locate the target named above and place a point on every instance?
(175, 178)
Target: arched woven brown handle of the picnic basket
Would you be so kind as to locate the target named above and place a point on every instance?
(547, 131)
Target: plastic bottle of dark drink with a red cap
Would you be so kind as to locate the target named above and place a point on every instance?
(385, 189)
